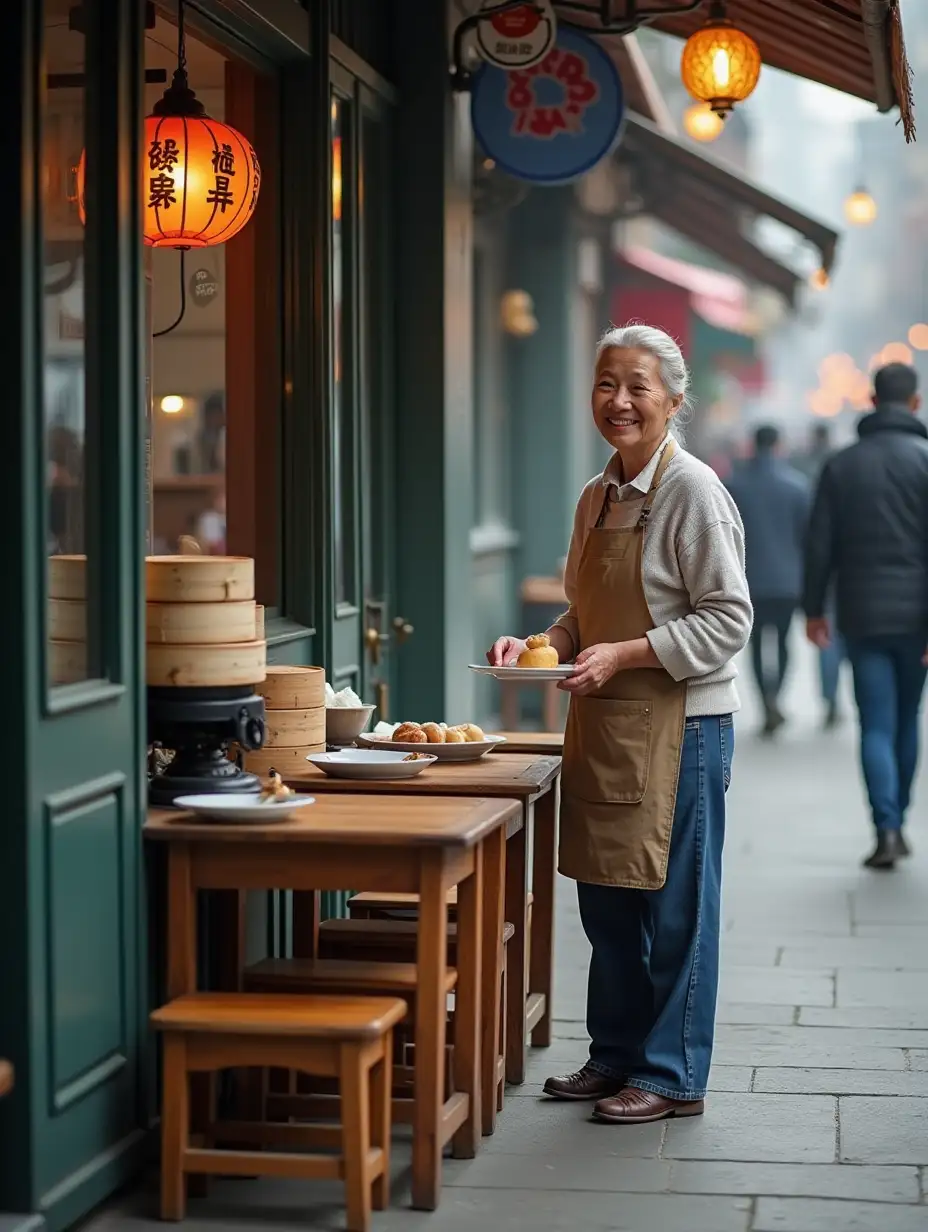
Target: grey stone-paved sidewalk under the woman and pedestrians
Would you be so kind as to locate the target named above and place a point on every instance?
(819, 1114)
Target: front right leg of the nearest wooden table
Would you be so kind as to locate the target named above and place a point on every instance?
(431, 1017)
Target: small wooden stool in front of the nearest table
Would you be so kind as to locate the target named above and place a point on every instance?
(343, 1038)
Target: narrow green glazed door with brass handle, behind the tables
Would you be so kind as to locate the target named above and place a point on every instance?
(367, 631)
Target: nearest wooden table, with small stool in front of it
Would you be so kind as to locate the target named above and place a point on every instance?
(425, 847)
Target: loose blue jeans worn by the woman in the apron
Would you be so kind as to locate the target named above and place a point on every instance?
(654, 975)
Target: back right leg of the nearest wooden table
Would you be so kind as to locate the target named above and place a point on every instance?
(468, 1008)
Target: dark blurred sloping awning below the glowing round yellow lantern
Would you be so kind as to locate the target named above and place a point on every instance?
(703, 200)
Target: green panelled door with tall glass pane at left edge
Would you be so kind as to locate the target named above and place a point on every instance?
(72, 970)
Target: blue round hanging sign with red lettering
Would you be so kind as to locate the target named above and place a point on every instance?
(553, 123)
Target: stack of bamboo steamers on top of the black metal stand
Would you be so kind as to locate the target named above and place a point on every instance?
(201, 623)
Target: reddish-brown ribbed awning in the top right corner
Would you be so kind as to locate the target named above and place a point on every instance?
(855, 46)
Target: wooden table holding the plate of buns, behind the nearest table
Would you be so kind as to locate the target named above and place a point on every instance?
(533, 782)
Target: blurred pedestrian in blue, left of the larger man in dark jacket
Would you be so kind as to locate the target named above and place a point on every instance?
(773, 500)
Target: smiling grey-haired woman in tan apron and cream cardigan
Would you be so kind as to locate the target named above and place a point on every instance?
(659, 610)
